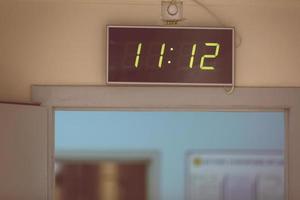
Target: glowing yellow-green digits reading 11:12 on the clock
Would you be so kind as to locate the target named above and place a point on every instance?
(160, 61)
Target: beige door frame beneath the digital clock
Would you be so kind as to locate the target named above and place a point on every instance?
(178, 98)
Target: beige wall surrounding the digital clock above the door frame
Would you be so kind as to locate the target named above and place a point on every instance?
(64, 42)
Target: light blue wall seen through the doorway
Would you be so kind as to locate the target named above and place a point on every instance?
(181, 138)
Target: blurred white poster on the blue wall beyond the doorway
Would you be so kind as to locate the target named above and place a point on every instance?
(235, 176)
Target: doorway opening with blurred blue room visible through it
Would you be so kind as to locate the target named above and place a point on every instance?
(181, 154)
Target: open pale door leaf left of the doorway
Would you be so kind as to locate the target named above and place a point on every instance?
(23, 151)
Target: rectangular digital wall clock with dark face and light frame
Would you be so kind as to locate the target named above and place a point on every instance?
(170, 55)
